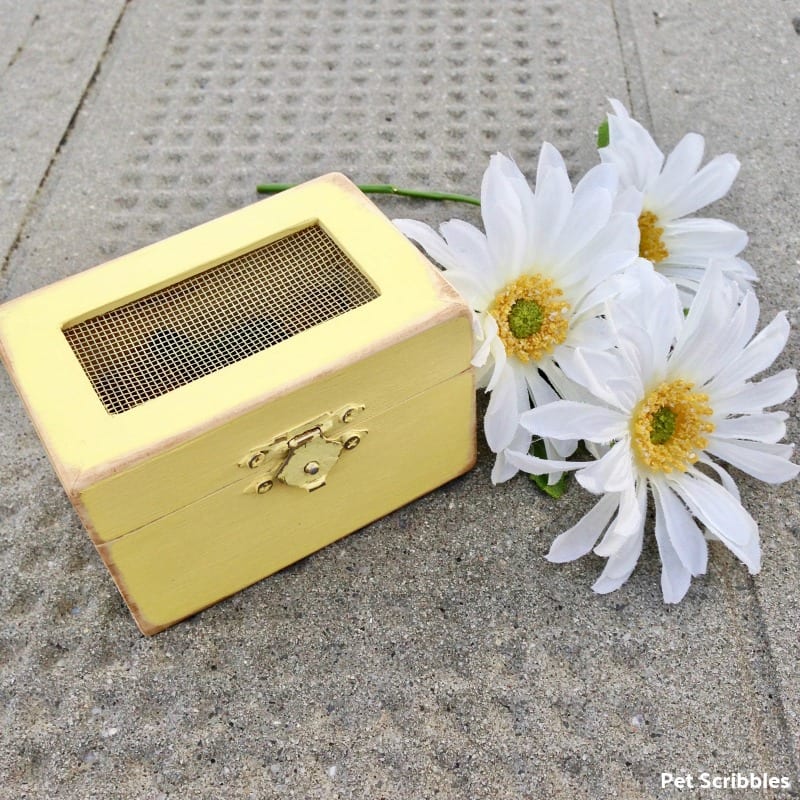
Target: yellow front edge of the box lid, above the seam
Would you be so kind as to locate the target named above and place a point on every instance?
(174, 479)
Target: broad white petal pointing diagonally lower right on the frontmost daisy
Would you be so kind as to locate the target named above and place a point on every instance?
(722, 514)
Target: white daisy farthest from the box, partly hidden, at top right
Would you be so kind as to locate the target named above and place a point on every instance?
(663, 193)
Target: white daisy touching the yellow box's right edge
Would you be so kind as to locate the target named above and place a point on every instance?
(533, 280)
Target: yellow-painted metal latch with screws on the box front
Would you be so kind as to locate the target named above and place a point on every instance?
(305, 455)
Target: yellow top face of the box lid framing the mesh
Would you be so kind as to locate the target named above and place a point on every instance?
(88, 438)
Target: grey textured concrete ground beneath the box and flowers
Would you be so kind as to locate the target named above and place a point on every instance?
(434, 653)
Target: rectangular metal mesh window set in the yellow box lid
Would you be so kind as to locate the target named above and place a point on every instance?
(176, 335)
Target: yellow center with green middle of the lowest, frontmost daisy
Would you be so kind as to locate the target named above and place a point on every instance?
(669, 427)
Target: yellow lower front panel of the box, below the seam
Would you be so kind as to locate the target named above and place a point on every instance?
(194, 557)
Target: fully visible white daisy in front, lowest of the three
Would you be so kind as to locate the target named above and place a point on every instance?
(673, 396)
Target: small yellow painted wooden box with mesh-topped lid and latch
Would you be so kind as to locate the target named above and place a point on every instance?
(222, 403)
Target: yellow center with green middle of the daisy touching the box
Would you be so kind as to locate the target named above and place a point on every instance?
(531, 317)
